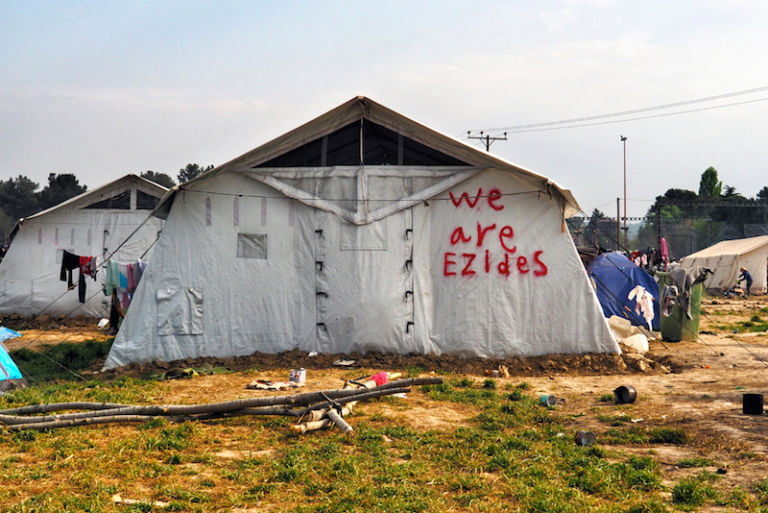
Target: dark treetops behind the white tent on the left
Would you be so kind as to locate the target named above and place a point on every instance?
(21, 196)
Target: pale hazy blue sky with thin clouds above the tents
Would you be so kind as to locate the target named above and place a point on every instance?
(105, 88)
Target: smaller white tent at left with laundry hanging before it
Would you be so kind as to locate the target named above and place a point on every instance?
(95, 223)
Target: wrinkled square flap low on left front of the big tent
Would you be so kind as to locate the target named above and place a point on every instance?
(180, 311)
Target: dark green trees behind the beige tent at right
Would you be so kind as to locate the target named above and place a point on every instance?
(717, 212)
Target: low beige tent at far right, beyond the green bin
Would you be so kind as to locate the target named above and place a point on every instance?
(726, 257)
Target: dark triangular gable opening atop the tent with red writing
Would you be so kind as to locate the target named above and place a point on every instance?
(363, 142)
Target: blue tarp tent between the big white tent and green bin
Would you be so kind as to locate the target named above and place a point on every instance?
(615, 276)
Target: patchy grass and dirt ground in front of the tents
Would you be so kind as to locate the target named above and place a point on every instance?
(474, 443)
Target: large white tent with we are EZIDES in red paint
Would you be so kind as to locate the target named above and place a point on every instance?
(363, 230)
